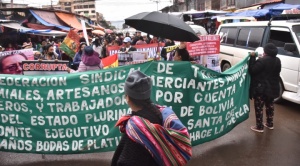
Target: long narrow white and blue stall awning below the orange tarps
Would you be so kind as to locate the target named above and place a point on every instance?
(21, 29)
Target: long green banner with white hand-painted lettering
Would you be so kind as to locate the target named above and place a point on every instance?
(76, 113)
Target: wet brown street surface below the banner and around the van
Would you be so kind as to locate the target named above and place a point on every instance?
(239, 147)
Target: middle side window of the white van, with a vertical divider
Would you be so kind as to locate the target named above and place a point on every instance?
(250, 37)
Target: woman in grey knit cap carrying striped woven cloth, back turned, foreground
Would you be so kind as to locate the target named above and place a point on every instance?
(133, 148)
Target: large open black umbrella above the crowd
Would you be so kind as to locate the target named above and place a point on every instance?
(162, 25)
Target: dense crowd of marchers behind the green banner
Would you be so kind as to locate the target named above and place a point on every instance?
(49, 49)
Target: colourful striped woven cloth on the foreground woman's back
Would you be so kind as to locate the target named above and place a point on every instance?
(169, 144)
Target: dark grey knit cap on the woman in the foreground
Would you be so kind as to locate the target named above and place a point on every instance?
(138, 85)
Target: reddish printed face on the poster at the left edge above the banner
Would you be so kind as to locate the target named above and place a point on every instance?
(12, 64)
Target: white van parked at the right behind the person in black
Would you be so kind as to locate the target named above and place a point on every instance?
(238, 39)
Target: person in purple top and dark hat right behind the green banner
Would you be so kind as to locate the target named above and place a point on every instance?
(90, 61)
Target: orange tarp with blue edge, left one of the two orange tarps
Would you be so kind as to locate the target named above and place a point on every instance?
(47, 19)
